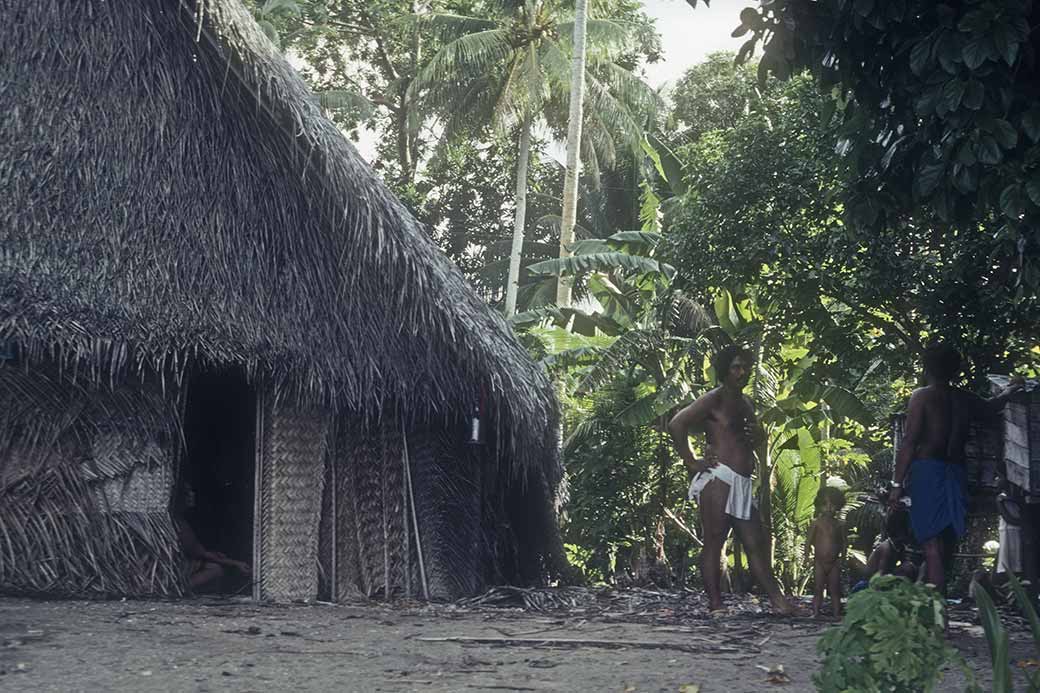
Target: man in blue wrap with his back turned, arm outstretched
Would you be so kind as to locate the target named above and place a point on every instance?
(932, 452)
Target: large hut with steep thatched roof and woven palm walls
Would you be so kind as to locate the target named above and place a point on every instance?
(177, 206)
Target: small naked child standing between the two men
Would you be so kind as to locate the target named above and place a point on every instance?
(827, 540)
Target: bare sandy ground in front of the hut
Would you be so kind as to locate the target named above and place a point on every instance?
(232, 646)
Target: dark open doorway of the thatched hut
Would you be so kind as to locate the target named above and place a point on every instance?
(219, 467)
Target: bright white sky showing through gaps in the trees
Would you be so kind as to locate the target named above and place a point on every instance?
(688, 36)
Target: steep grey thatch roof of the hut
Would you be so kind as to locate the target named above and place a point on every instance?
(174, 194)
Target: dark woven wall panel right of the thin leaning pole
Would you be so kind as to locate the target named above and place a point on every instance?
(448, 487)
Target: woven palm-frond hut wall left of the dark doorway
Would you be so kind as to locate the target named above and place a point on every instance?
(74, 518)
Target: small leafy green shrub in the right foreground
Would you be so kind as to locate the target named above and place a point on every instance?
(891, 641)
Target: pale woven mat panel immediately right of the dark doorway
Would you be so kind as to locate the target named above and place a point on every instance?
(292, 478)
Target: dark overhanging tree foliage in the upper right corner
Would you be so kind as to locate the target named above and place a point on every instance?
(934, 111)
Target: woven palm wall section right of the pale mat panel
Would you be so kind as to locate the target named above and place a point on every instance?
(402, 521)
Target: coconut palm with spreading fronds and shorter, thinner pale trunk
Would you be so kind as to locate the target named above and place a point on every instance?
(512, 71)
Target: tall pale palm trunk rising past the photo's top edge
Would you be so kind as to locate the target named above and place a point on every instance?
(564, 285)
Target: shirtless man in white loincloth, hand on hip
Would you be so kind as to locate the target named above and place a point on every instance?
(722, 481)
